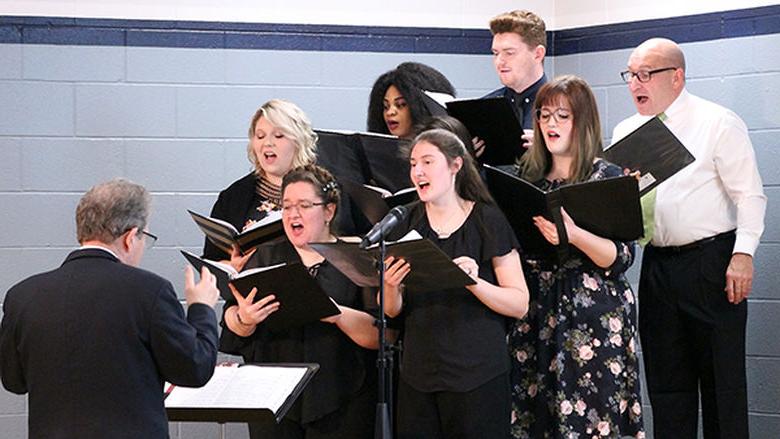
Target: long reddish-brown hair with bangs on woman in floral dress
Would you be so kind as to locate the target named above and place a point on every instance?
(586, 142)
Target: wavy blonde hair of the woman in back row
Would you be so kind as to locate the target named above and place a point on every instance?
(289, 118)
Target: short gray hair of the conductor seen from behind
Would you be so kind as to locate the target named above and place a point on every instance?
(110, 209)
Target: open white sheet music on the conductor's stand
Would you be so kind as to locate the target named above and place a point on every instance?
(253, 387)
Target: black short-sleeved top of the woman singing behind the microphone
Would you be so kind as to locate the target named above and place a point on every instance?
(452, 341)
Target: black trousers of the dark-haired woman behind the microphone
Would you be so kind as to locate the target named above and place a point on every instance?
(480, 413)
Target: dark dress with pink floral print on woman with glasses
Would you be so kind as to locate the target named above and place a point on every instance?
(575, 370)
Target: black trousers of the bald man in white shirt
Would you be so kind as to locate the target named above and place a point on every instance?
(693, 341)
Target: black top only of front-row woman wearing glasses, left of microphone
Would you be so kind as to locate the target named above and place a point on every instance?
(345, 367)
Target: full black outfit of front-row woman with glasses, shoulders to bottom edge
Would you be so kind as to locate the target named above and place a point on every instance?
(340, 400)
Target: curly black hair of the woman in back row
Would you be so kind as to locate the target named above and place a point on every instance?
(410, 78)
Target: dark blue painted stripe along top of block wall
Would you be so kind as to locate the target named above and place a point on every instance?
(215, 35)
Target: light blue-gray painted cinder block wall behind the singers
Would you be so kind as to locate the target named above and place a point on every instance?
(175, 119)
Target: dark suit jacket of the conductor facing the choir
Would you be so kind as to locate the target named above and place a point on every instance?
(92, 343)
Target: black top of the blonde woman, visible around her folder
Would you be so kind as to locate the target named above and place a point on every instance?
(236, 204)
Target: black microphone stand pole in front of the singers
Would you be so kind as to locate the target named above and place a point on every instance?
(383, 425)
